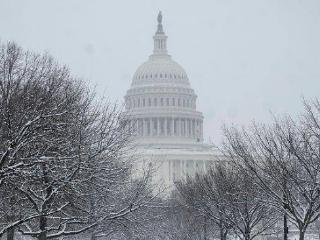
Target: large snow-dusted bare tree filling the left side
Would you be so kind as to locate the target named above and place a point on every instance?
(64, 158)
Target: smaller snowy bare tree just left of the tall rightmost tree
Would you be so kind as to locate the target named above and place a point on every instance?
(244, 210)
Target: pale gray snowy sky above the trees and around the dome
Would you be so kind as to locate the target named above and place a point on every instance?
(243, 58)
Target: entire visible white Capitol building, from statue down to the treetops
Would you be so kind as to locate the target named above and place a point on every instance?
(161, 106)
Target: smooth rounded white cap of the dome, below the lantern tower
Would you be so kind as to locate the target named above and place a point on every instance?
(160, 69)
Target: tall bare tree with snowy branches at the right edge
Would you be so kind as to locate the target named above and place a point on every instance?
(284, 158)
